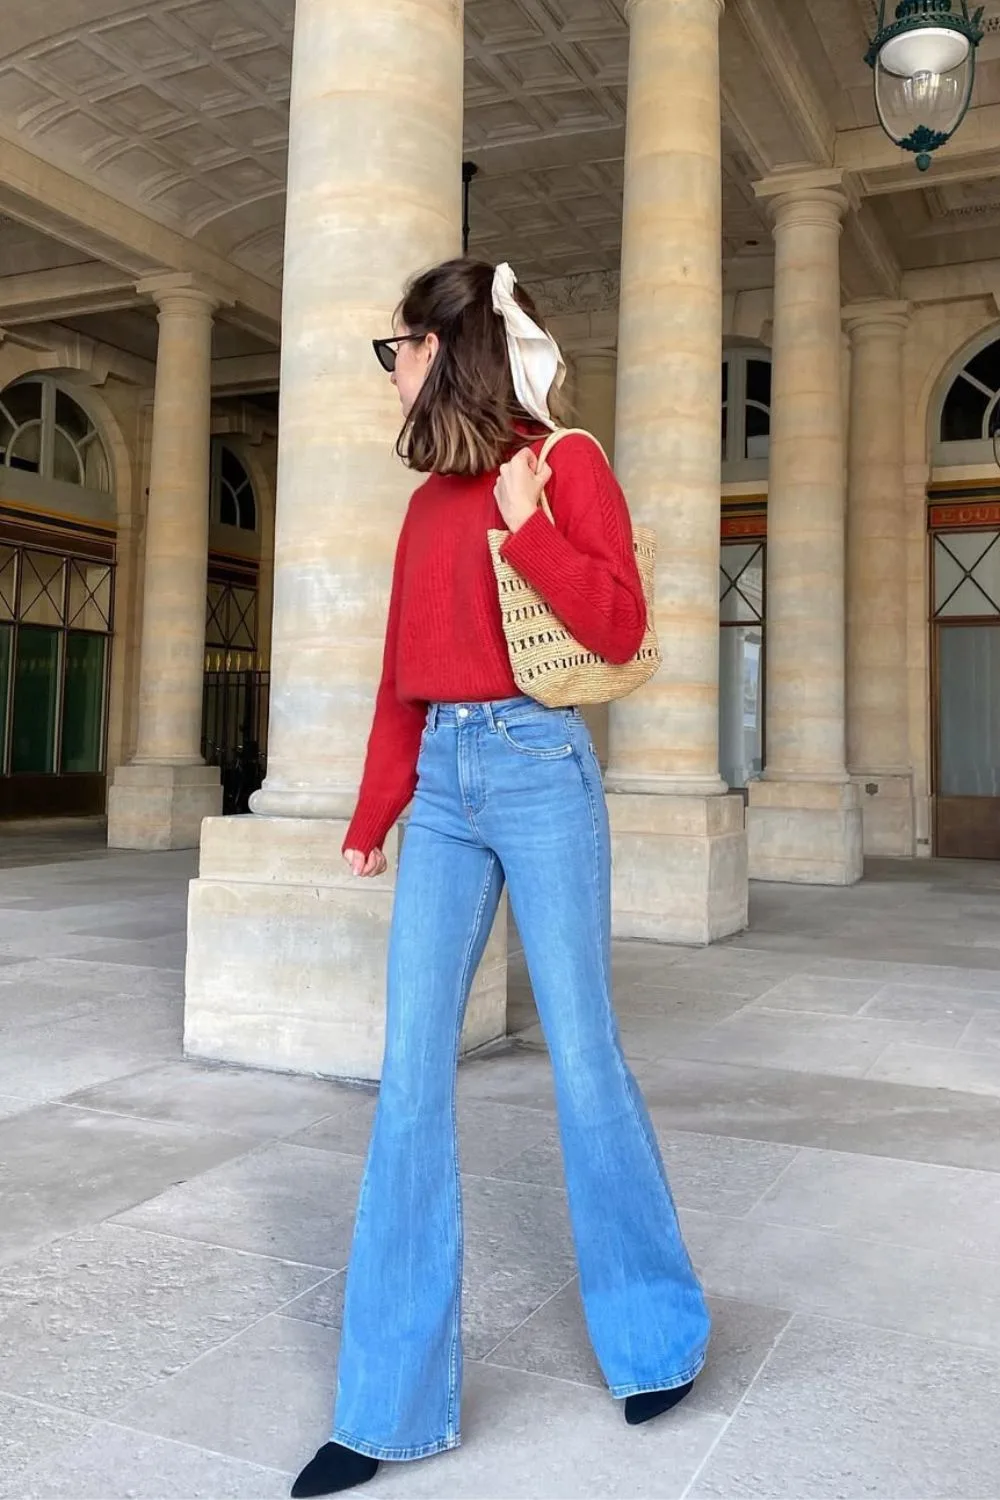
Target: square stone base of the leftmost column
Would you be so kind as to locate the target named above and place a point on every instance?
(161, 806)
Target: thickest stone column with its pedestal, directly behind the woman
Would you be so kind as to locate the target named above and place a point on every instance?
(287, 952)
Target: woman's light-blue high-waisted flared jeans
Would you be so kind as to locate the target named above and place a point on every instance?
(506, 791)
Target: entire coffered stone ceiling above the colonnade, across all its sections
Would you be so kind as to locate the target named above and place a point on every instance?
(179, 110)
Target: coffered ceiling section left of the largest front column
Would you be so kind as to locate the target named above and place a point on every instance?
(181, 107)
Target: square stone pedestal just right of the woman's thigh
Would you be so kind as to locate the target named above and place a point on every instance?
(680, 868)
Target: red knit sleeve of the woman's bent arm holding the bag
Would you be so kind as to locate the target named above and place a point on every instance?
(584, 566)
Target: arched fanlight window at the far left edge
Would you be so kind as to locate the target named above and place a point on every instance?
(46, 431)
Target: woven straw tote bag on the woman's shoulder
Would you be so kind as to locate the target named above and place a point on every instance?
(548, 661)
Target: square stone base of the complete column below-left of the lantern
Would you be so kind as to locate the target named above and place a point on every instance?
(806, 833)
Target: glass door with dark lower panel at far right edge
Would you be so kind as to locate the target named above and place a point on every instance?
(968, 695)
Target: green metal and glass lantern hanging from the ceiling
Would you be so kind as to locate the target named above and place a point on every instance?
(926, 65)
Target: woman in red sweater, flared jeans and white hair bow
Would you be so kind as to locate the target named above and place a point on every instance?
(503, 790)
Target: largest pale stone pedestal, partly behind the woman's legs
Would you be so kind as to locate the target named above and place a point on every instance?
(287, 953)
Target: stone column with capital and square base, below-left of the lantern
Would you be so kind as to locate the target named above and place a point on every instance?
(804, 814)
